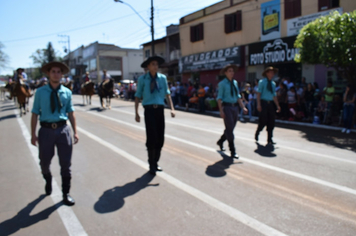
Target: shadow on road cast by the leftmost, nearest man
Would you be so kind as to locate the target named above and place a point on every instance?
(23, 219)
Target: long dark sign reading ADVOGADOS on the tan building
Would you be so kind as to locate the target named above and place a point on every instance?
(212, 60)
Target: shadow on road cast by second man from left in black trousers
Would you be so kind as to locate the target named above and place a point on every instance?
(113, 199)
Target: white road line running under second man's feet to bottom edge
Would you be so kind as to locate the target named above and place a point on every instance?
(232, 212)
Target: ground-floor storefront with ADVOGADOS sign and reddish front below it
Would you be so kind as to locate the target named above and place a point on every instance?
(204, 68)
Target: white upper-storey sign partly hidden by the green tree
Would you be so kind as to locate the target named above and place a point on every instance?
(296, 24)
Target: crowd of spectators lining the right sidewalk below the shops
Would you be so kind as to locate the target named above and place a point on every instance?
(300, 101)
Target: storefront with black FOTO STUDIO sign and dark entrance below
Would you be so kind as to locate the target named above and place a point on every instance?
(278, 53)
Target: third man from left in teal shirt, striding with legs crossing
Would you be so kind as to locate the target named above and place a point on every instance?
(228, 100)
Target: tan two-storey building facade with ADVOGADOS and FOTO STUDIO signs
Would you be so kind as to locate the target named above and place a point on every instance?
(252, 34)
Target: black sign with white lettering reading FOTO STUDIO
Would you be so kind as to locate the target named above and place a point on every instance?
(272, 52)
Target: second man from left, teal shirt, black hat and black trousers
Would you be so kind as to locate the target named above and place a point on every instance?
(153, 88)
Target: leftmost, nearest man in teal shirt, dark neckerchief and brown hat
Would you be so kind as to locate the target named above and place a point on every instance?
(53, 105)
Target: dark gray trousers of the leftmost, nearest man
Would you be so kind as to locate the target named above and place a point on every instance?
(48, 138)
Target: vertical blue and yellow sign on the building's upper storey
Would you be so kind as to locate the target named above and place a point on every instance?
(271, 20)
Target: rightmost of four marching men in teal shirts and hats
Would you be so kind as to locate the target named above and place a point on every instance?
(267, 103)
